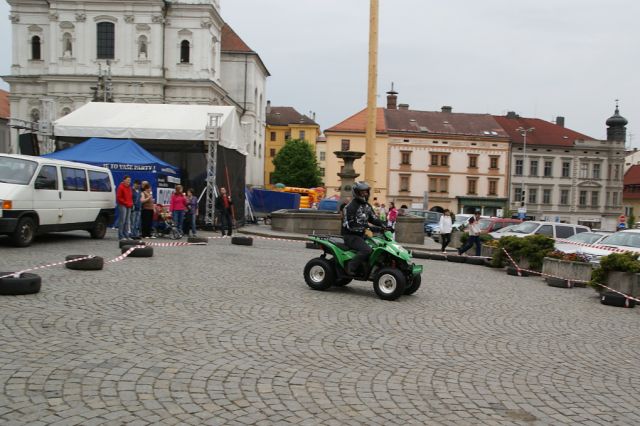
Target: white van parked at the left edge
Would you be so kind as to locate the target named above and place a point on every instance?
(39, 195)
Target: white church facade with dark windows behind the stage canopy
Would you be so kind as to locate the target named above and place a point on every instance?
(68, 53)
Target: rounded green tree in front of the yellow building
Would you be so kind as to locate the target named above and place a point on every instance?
(296, 165)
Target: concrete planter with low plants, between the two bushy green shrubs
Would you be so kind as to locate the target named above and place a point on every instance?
(566, 270)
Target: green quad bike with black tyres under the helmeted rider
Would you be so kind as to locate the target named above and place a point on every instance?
(389, 266)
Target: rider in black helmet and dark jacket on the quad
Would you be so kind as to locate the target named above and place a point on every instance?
(356, 218)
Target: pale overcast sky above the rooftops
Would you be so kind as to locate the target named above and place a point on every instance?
(540, 58)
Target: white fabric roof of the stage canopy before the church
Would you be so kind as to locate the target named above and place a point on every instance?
(150, 121)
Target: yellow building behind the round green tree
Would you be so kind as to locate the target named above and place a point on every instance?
(283, 124)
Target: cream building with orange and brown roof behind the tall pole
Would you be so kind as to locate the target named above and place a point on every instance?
(441, 159)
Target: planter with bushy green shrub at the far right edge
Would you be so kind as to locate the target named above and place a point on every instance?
(619, 271)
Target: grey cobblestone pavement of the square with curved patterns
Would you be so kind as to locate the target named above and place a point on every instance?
(229, 334)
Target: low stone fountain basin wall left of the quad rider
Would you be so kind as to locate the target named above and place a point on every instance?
(306, 222)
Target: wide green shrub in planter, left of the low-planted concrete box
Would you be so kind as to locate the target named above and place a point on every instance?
(532, 248)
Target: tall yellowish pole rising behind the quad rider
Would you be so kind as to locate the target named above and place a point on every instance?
(370, 146)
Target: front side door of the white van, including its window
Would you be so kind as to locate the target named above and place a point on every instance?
(47, 196)
